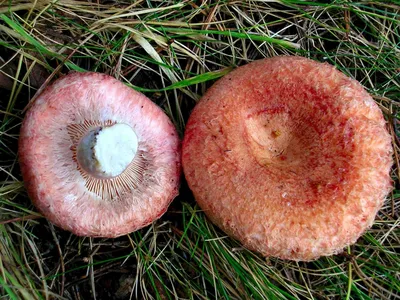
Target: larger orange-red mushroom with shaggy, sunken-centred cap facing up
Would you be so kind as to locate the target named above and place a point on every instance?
(289, 156)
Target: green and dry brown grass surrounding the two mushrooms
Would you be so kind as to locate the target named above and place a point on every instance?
(173, 51)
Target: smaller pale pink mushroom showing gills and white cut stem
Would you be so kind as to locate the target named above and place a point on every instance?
(98, 158)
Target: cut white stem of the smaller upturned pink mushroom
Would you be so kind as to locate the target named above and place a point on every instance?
(105, 152)
